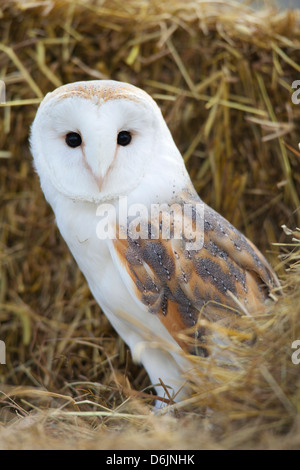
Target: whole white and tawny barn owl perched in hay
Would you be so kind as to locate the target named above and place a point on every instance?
(106, 158)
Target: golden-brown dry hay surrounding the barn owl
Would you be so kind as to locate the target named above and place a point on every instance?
(222, 74)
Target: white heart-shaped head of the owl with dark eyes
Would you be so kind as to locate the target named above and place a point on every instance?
(95, 140)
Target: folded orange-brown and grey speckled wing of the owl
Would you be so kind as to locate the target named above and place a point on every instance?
(223, 278)
